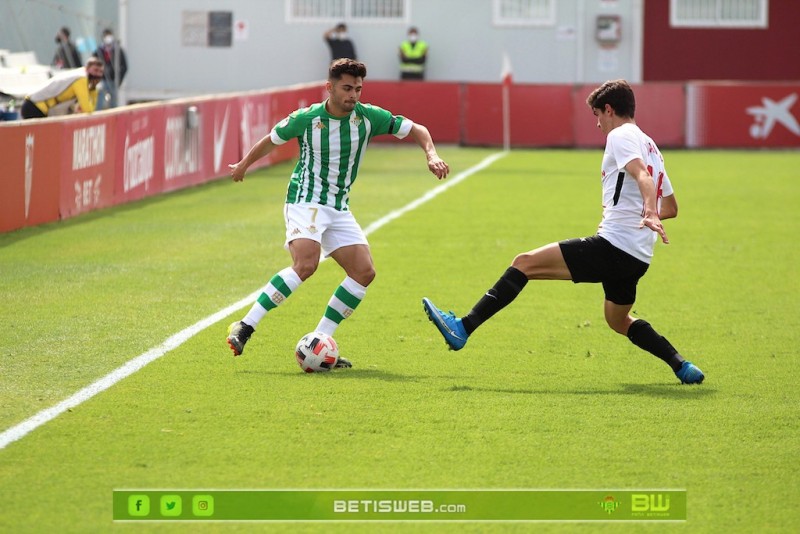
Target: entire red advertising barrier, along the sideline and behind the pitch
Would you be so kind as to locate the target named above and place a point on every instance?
(60, 167)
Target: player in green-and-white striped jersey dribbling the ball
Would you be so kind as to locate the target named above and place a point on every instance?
(333, 136)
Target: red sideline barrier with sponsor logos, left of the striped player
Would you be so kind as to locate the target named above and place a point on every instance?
(57, 168)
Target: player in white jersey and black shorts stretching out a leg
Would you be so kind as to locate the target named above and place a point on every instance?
(637, 196)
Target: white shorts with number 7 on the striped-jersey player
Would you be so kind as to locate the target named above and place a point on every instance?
(331, 228)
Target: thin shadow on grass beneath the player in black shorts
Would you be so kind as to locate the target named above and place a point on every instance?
(669, 391)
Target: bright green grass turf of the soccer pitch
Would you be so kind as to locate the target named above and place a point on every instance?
(544, 395)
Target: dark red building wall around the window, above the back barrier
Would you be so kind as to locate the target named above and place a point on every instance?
(678, 54)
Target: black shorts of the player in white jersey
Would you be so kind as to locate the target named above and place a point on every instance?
(593, 259)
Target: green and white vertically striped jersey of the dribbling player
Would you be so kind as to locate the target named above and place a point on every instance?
(331, 149)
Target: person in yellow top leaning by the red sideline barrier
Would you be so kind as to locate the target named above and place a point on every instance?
(71, 91)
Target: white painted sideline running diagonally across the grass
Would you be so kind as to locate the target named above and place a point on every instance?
(22, 429)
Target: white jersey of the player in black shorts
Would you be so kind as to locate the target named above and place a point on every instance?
(623, 205)
